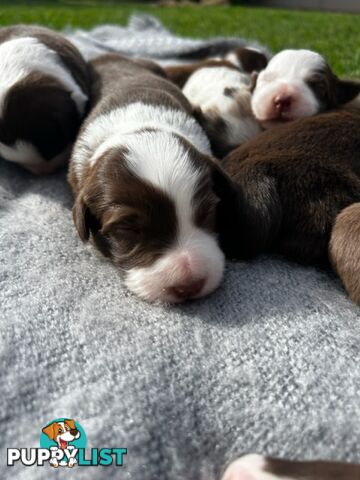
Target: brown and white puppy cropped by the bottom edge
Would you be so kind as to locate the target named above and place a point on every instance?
(260, 467)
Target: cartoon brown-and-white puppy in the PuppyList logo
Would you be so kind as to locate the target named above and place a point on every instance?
(62, 433)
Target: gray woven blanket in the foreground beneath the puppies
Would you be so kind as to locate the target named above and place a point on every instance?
(269, 363)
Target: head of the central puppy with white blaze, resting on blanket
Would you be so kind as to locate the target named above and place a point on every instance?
(150, 204)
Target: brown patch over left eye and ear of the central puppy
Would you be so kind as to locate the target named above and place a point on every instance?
(123, 216)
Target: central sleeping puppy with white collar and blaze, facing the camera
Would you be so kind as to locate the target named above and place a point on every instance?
(146, 187)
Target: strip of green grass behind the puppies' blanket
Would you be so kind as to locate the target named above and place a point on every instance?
(337, 36)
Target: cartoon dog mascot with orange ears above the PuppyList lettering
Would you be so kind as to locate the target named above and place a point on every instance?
(62, 432)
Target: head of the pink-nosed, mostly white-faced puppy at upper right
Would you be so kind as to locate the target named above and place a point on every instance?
(296, 84)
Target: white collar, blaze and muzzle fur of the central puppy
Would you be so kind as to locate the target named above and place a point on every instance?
(161, 159)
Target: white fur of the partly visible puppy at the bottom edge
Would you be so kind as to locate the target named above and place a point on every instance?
(250, 467)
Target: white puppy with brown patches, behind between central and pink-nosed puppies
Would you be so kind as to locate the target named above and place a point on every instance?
(220, 92)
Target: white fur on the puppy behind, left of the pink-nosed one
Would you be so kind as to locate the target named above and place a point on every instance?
(205, 89)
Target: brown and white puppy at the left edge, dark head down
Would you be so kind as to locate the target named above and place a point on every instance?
(44, 91)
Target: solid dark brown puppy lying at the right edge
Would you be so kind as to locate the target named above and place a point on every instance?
(292, 183)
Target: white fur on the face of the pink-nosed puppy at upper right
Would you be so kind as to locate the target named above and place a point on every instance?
(286, 73)
